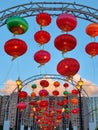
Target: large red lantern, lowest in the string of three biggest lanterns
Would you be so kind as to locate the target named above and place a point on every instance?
(68, 67)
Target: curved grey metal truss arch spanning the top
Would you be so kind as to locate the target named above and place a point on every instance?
(53, 8)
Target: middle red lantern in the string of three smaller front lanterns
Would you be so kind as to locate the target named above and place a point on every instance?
(42, 37)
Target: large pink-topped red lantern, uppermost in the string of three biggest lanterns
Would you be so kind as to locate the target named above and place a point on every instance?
(66, 22)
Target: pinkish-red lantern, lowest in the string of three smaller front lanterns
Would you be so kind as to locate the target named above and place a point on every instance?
(42, 57)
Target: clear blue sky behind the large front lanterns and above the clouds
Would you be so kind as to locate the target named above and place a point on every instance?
(25, 66)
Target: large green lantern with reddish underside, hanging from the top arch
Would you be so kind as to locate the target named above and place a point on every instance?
(17, 25)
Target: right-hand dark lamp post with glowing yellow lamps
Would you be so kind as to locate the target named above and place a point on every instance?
(79, 87)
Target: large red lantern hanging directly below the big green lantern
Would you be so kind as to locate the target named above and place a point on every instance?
(15, 47)
